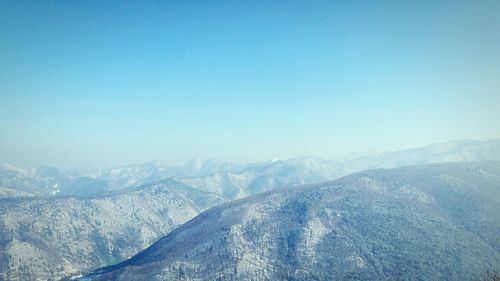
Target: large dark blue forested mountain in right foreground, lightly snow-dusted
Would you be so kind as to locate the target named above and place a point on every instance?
(431, 222)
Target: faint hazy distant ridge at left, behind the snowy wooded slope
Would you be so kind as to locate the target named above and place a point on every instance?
(49, 181)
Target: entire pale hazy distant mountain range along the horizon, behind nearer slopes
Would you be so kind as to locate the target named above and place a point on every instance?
(231, 180)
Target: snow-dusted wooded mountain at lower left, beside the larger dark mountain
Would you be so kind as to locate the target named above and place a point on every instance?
(51, 237)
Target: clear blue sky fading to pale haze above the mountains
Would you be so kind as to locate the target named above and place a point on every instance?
(99, 83)
